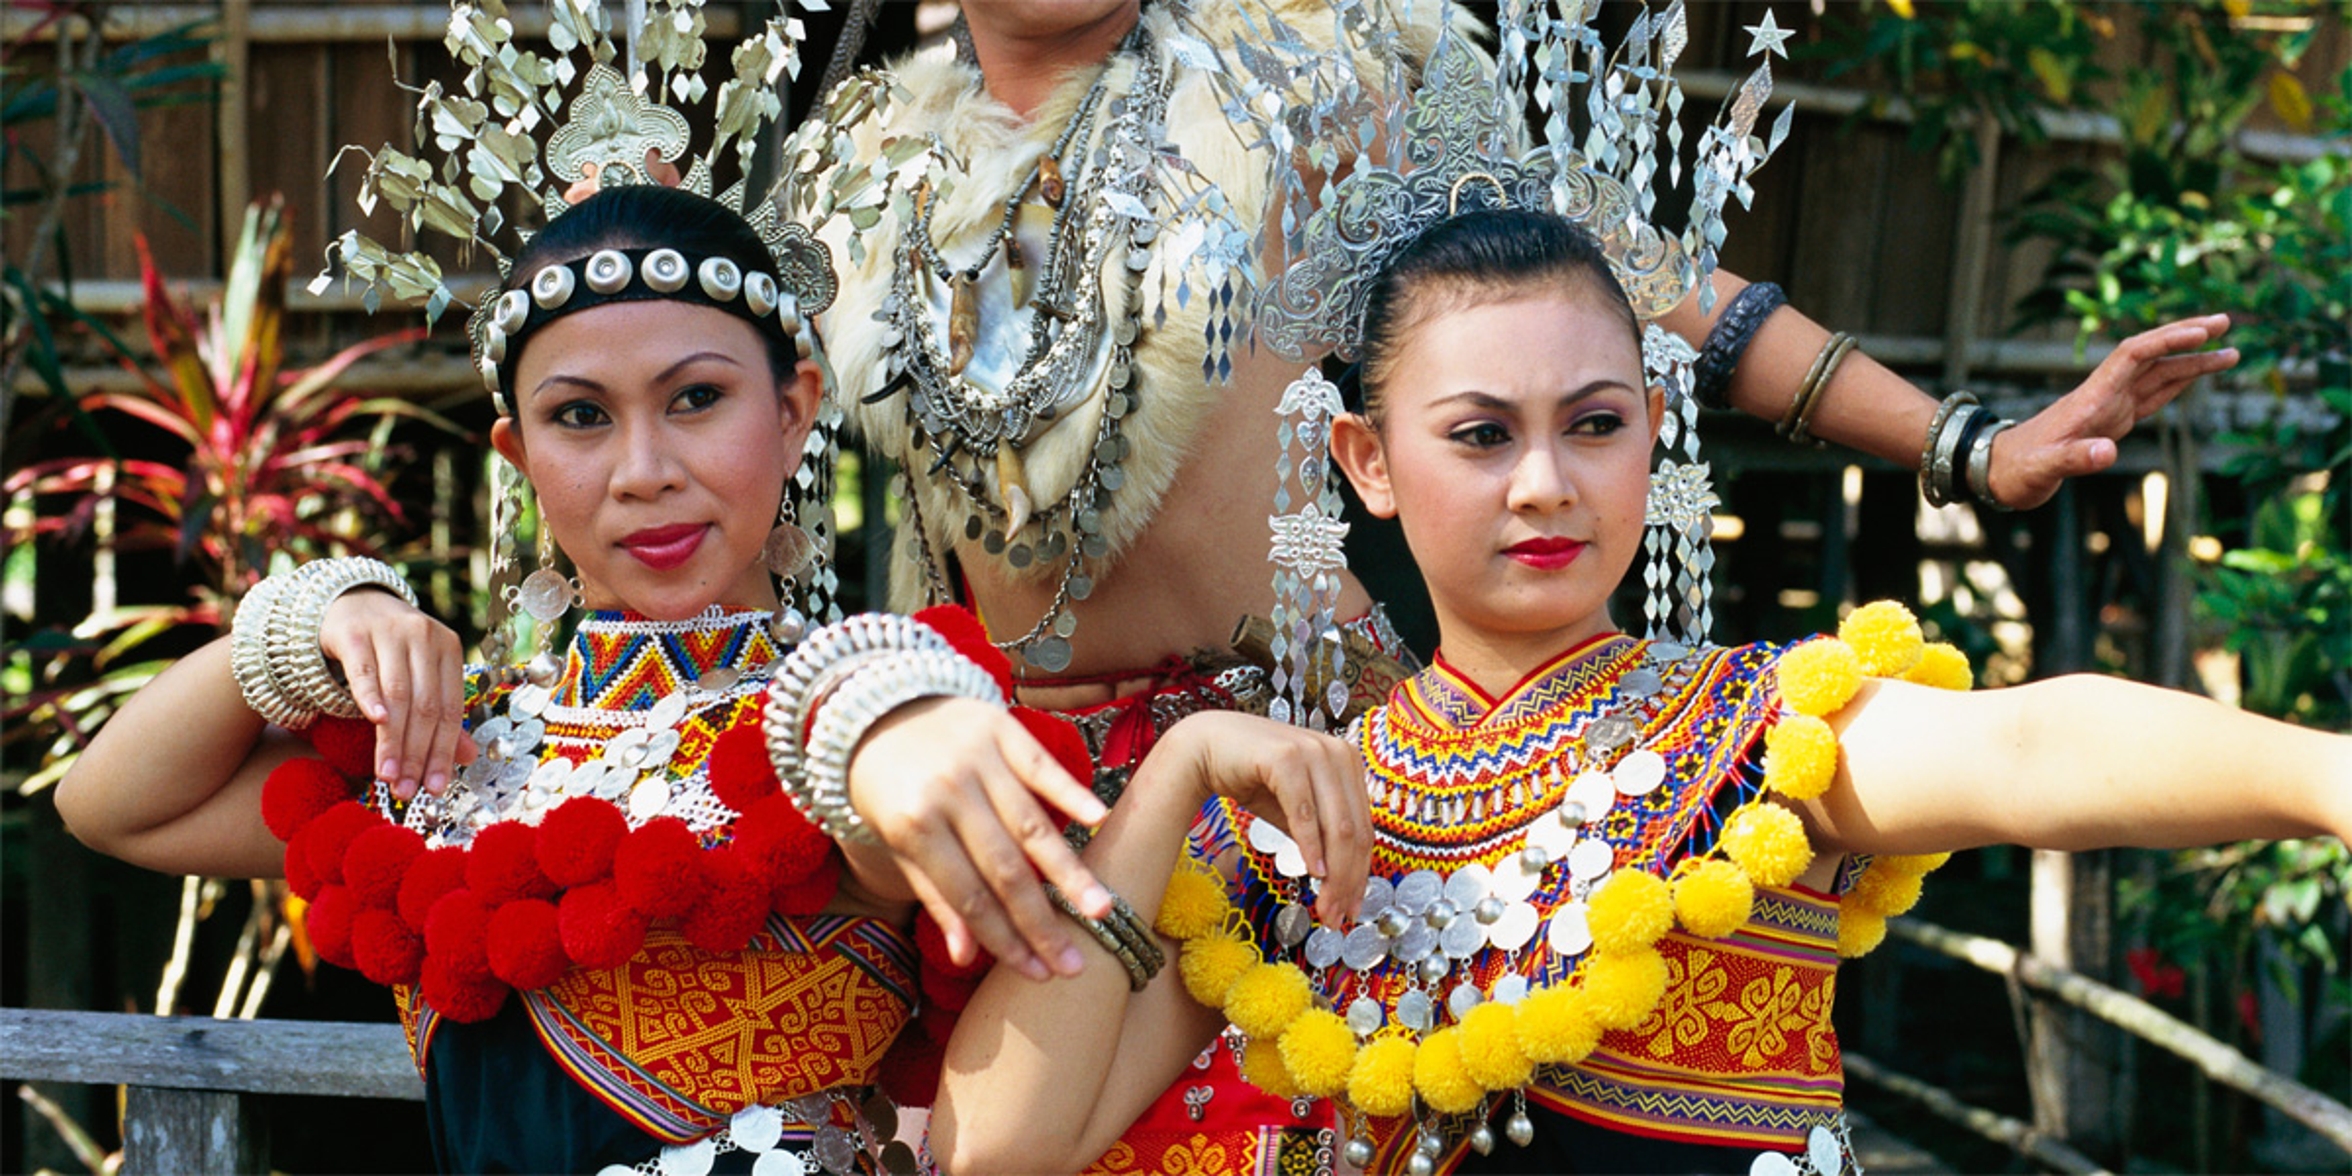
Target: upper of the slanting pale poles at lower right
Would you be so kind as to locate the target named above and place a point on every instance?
(2134, 1015)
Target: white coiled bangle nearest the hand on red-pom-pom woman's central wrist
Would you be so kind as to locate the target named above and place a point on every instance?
(874, 690)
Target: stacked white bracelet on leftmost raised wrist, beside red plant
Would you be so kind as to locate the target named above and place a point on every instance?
(274, 641)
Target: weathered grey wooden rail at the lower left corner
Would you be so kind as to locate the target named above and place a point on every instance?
(199, 1053)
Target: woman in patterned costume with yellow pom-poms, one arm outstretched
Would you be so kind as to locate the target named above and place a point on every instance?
(1612, 878)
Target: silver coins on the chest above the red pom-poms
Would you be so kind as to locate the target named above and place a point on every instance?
(516, 780)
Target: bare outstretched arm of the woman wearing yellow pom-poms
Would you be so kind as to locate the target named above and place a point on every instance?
(2073, 763)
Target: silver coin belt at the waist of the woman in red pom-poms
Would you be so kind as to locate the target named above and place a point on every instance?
(787, 1142)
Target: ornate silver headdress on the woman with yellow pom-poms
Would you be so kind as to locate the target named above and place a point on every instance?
(1452, 140)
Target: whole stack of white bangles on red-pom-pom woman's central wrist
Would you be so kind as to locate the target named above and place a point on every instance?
(838, 683)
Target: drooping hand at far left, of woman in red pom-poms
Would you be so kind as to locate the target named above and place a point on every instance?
(408, 674)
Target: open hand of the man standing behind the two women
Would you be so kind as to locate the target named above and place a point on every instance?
(2078, 434)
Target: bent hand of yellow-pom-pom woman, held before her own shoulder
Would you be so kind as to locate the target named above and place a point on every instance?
(1304, 782)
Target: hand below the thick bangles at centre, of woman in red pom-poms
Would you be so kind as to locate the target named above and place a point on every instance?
(961, 796)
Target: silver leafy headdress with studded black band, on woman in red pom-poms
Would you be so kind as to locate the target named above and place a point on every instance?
(535, 126)
